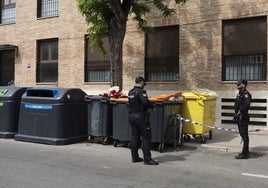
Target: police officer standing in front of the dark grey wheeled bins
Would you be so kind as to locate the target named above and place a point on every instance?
(139, 118)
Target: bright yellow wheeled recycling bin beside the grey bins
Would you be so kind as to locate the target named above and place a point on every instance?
(199, 107)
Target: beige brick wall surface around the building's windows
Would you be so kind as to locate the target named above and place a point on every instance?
(200, 43)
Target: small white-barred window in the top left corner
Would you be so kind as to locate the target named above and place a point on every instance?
(8, 11)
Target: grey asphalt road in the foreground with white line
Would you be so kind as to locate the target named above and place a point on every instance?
(30, 165)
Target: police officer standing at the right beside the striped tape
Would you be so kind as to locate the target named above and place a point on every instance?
(242, 104)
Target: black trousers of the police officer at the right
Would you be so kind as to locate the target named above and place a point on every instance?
(242, 123)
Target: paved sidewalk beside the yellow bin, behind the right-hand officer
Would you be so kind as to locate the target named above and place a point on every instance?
(231, 142)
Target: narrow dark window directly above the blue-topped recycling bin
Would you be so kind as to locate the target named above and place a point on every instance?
(47, 61)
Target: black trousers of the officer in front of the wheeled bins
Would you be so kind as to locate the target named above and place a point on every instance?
(140, 128)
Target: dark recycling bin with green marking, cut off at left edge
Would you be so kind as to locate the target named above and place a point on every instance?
(10, 98)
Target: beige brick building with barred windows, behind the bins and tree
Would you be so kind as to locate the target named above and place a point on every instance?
(204, 47)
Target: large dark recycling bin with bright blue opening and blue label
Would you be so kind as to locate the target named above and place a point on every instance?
(55, 116)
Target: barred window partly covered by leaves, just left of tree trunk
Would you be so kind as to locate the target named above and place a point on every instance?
(97, 65)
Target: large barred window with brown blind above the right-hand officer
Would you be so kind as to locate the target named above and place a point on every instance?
(244, 49)
